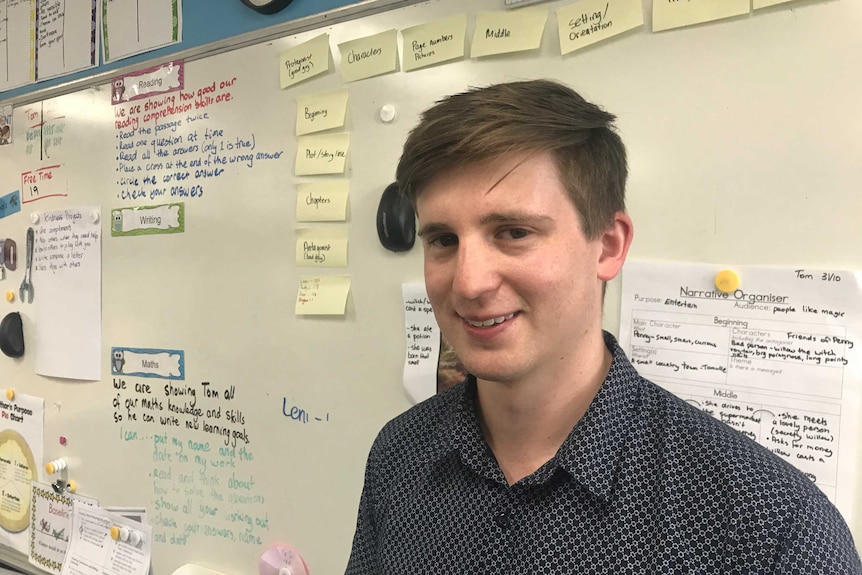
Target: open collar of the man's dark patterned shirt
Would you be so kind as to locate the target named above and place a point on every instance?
(591, 453)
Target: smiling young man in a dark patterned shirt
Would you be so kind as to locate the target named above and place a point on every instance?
(555, 456)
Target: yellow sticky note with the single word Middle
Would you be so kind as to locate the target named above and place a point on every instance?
(508, 31)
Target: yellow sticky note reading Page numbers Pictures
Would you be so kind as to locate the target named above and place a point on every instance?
(434, 42)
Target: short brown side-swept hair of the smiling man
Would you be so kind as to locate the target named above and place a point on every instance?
(483, 124)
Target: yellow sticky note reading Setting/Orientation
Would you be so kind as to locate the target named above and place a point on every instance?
(590, 21)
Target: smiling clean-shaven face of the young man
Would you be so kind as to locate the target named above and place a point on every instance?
(516, 287)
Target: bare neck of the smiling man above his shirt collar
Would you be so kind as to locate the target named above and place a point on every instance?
(526, 422)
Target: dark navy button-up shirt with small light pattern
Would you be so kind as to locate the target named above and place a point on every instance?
(644, 484)
